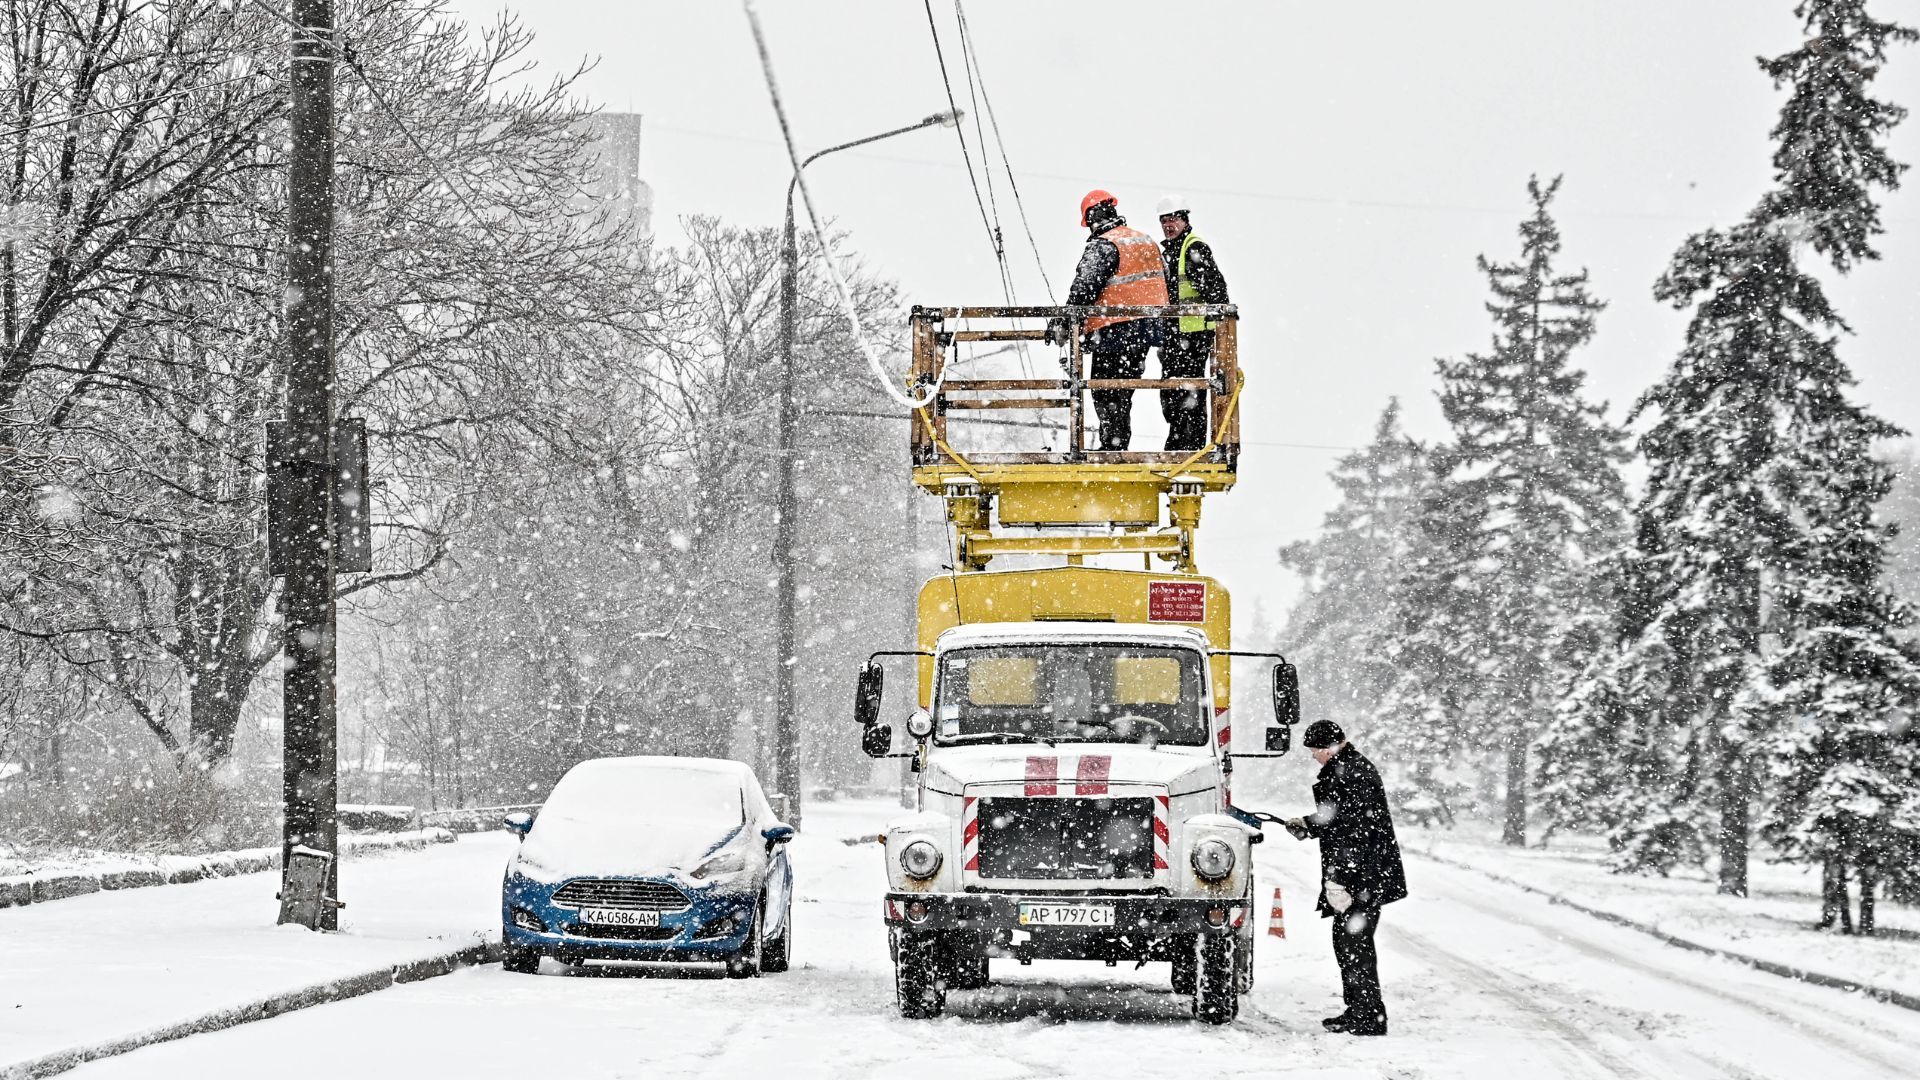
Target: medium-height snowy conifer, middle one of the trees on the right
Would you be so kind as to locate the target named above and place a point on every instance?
(1524, 503)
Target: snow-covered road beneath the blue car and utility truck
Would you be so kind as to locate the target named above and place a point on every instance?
(1481, 979)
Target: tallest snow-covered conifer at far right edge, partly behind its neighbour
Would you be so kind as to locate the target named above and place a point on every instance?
(1840, 689)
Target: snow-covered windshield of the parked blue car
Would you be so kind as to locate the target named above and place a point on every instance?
(648, 797)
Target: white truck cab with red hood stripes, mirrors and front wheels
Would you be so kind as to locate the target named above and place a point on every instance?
(1072, 804)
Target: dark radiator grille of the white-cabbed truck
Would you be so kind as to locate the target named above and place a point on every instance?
(1044, 839)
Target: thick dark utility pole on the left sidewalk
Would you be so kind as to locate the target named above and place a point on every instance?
(310, 733)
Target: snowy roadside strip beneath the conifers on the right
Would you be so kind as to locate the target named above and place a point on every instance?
(1773, 925)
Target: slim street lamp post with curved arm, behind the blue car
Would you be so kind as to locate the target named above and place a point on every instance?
(786, 637)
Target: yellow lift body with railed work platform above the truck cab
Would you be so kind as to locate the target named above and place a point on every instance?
(1068, 501)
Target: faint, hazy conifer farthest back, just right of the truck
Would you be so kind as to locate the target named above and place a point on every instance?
(1349, 574)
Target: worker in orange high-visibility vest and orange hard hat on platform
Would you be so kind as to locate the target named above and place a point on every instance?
(1118, 266)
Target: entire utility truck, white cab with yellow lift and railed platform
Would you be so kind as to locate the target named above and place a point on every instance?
(1070, 731)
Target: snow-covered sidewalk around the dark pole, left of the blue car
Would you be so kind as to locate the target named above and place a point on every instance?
(103, 968)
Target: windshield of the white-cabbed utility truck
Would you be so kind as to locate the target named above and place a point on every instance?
(1072, 693)
